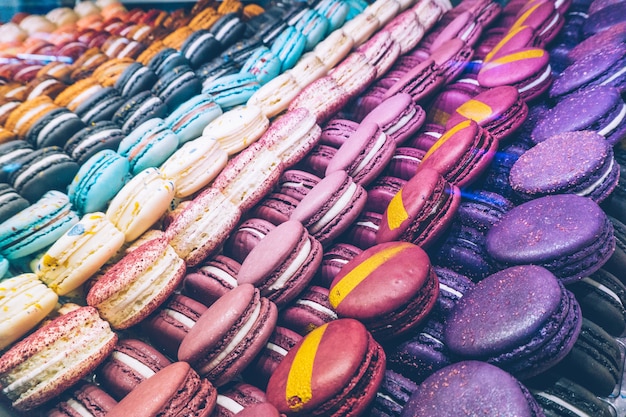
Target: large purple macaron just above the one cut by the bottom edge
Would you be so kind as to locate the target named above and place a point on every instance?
(521, 319)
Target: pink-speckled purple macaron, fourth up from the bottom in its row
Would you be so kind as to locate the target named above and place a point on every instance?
(579, 162)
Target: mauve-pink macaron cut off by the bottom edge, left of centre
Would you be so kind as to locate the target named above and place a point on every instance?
(176, 388)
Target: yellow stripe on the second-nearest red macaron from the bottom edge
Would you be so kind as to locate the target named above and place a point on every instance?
(353, 278)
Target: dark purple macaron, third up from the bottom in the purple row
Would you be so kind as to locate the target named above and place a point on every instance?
(568, 234)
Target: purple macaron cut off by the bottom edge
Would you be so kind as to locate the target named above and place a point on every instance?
(466, 386)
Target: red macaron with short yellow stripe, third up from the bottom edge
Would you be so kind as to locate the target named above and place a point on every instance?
(421, 211)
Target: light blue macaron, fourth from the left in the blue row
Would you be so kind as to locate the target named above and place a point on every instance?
(192, 116)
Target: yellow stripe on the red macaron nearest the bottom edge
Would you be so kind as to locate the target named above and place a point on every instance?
(298, 390)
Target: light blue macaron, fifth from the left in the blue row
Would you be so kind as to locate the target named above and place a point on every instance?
(232, 90)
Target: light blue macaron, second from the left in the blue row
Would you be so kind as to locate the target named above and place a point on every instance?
(98, 181)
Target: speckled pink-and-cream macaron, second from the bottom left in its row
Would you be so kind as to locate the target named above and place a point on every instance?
(154, 264)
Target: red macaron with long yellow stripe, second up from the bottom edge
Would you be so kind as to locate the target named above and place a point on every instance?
(398, 283)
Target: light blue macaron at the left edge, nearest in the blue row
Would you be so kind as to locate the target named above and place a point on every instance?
(37, 226)
